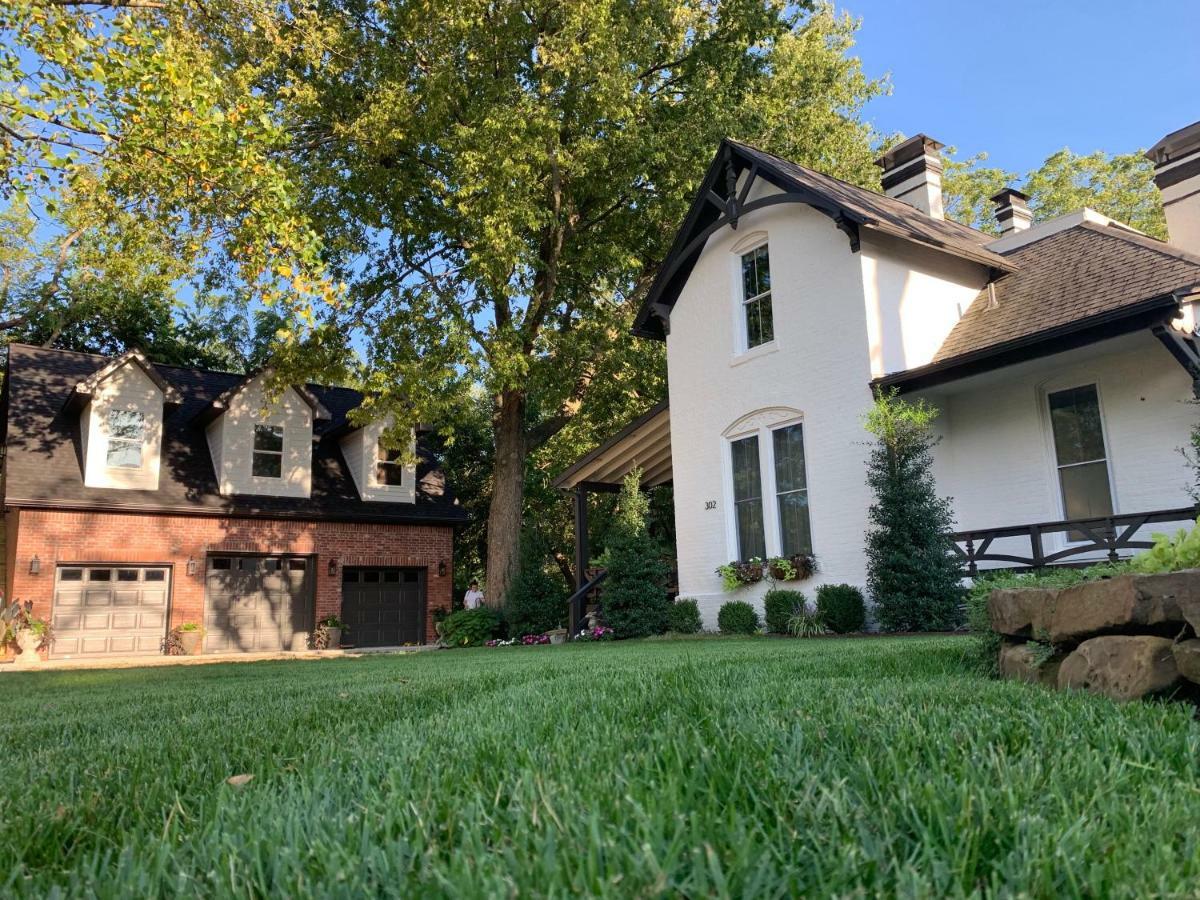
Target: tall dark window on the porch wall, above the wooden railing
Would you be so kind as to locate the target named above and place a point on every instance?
(1081, 454)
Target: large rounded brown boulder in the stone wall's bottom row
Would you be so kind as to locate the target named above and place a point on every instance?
(1121, 667)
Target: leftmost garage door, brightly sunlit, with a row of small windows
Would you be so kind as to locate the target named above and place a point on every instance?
(110, 610)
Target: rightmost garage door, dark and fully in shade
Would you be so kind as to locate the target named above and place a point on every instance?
(385, 608)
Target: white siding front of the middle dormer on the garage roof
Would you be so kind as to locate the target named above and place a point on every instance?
(232, 441)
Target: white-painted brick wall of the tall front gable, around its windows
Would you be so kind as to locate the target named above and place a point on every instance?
(818, 367)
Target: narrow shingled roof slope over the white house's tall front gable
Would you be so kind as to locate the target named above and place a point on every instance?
(885, 214)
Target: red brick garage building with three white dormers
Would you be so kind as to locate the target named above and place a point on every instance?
(141, 497)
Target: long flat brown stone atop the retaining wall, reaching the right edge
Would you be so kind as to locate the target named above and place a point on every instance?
(1126, 604)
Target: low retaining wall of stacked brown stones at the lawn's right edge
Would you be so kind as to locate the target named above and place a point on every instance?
(1125, 638)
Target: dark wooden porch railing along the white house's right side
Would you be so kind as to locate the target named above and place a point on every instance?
(1112, 536)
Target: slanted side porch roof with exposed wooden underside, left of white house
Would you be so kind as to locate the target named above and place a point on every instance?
(645, 443)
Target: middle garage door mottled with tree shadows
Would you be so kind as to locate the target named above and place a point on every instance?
(257, 604)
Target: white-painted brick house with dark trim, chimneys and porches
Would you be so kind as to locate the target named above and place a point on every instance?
(1060, 356)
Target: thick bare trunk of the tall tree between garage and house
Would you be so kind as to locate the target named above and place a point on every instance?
(508, 495)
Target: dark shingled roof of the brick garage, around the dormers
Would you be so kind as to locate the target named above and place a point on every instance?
(43, 464)
